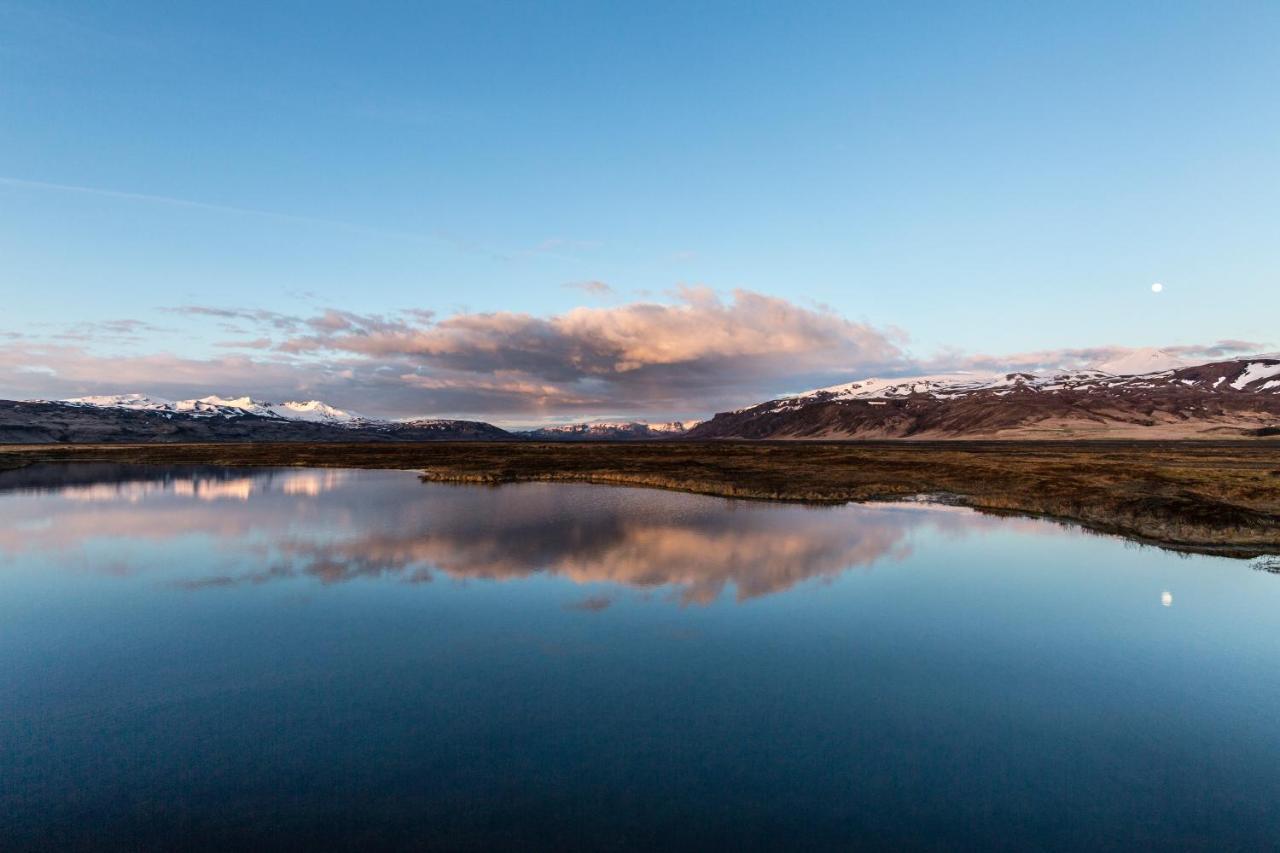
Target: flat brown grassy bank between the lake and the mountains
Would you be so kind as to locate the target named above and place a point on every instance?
(1188, 495)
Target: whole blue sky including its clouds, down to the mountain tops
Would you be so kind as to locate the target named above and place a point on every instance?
(532, 213)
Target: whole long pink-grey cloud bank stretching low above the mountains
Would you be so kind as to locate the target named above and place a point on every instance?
(693, 355)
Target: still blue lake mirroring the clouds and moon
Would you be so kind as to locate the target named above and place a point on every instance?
(354, 659)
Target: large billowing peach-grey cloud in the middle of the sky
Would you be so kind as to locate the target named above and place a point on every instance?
(701, 341)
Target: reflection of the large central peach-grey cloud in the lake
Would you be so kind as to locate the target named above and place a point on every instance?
(701, 556)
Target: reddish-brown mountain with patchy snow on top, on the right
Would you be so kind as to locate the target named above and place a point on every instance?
(1223, 400)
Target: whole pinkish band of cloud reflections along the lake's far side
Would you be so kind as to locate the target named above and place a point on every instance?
(336, 527)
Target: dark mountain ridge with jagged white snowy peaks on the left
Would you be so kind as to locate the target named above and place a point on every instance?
(138, 418)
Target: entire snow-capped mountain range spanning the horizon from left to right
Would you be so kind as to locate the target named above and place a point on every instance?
(1139, 396)
